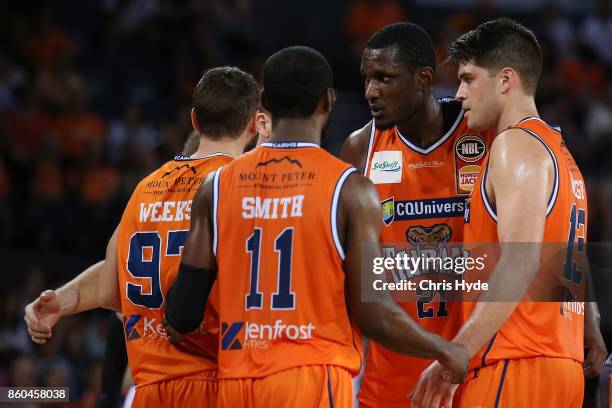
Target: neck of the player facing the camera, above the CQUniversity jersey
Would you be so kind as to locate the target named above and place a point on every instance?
(426, 126)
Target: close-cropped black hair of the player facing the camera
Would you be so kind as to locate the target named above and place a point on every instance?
(415, 49)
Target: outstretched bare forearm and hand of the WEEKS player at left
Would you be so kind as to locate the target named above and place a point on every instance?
(97, 286)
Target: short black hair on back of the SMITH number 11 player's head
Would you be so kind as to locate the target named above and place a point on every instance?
(294, 79)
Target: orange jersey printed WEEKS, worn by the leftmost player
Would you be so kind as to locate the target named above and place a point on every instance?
(152, 232)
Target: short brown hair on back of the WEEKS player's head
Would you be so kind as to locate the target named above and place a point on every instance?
(224, 100)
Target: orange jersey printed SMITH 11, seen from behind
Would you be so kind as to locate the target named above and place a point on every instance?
(280, 278)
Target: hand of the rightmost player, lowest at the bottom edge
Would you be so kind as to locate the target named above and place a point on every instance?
(432, 390)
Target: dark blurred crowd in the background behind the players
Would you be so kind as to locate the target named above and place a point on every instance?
(94, 95)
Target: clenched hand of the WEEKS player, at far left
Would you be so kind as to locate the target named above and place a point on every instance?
(41, 315)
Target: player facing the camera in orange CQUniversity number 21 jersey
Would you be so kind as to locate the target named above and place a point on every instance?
(436, 158)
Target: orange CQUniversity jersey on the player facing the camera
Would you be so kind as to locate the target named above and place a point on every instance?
(423, 194)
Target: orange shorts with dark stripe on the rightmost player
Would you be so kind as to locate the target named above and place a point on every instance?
(539, 382)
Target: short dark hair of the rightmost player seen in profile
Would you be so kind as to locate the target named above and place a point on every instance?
(501, 43)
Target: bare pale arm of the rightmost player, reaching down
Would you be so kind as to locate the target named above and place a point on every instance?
(520, 174)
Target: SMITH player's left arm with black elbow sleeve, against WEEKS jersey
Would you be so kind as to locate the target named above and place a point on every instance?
(186, 299)
